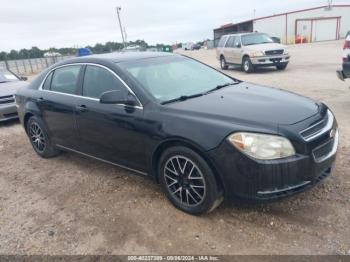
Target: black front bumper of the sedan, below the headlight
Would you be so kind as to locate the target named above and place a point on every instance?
(262, 180)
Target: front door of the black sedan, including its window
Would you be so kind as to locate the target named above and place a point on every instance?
(109, 131)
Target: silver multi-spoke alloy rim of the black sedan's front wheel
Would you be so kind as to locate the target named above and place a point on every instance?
(184, 180)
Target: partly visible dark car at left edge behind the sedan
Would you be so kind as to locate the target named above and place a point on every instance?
(9, 84)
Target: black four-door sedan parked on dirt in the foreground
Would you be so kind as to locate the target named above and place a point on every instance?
(201, 134)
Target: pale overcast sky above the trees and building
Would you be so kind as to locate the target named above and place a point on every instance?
(77, 23)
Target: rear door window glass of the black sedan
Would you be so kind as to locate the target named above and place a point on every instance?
(65, 79)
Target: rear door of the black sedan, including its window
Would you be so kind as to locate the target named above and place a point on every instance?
(57, 102)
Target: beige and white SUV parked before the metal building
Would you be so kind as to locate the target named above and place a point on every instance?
(251, 50)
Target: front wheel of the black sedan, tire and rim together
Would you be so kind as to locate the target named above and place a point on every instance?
(188, 181)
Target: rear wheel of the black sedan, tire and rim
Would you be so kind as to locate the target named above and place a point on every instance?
(39, 138)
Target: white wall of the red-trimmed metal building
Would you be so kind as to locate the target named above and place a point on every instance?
(276, 26)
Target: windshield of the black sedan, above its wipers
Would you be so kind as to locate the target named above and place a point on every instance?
(171, 77)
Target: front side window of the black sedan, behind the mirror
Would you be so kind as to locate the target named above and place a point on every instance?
(98, 80)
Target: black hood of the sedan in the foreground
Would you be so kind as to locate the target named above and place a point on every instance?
(249, 104)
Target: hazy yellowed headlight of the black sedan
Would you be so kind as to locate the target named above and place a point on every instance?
(262, 146)
